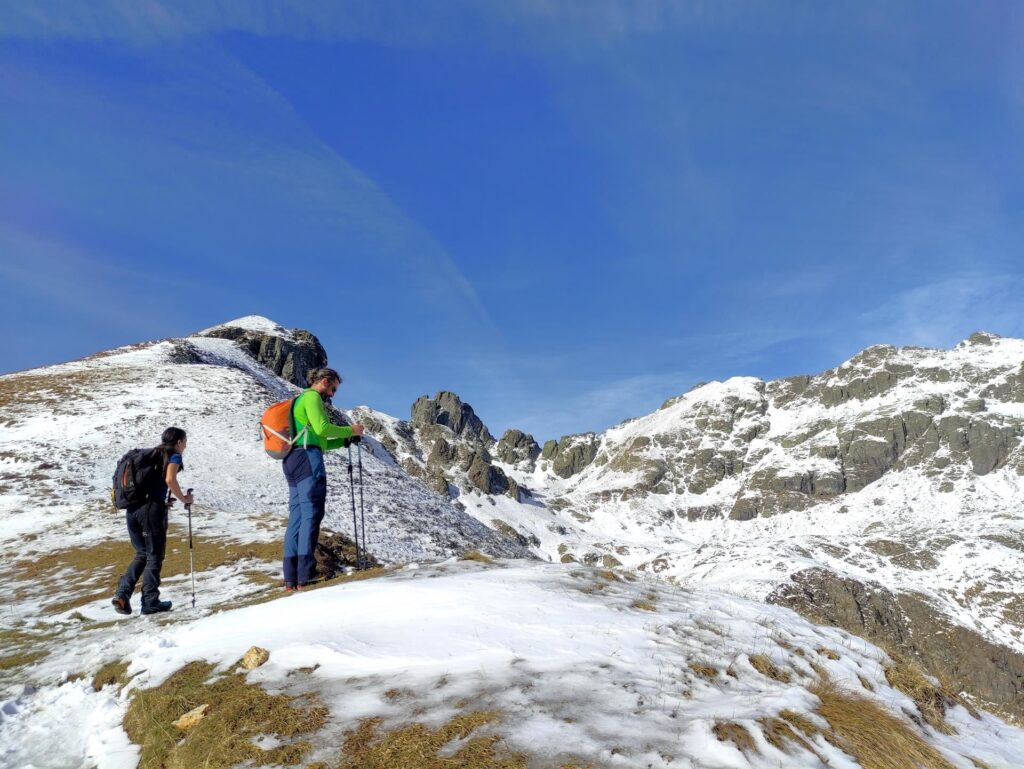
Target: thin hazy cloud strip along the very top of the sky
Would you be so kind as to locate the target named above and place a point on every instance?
(562, 23)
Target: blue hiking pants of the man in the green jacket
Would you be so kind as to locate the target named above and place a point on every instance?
(307, 499)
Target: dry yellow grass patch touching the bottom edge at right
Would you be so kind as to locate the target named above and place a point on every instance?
(872, 735)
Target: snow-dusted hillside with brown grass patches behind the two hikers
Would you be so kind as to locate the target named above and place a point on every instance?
(64, 428)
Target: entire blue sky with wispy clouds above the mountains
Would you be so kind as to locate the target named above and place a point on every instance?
(566, 212)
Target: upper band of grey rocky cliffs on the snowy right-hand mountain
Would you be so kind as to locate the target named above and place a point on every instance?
(795, 443)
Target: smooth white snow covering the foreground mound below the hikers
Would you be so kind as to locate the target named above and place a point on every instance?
(578, 670)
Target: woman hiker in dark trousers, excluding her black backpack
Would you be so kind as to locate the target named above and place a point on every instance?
(148, 529)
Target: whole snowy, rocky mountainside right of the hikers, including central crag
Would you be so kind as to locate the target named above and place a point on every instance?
(901, 469)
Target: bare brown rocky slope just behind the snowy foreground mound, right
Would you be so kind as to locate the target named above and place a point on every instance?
(909, 624)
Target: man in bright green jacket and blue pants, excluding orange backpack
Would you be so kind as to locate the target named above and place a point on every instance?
(308, 477)
